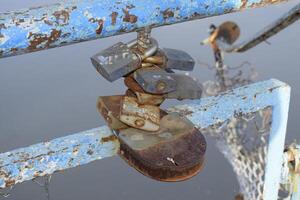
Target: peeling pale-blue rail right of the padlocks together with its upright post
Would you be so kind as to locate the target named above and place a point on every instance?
(238, 102)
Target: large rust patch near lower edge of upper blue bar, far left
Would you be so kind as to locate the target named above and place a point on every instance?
(38, 39)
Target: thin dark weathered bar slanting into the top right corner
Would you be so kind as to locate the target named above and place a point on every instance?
(285, 21)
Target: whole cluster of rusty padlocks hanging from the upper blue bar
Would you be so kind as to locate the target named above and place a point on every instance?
(164, 146)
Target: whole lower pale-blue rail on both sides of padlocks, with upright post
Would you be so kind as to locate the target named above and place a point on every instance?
(74, 150)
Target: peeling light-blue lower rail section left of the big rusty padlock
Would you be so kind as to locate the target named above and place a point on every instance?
(56, 155)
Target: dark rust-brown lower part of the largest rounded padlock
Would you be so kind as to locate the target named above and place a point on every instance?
(167, 162)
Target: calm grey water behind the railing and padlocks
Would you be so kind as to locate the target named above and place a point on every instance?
(53, 93)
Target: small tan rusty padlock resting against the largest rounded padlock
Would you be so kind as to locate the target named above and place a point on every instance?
(144, 117)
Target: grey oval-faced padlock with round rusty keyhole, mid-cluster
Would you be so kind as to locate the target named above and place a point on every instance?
(155, 80)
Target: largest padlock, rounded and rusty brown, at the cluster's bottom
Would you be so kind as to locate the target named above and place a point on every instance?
(174, 153)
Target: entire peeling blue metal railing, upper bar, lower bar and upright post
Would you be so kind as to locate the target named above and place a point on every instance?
(60, 24)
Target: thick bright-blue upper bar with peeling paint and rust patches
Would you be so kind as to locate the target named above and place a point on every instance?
(69, 22)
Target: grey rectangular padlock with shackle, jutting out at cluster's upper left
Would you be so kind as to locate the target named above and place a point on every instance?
(120, 59)
